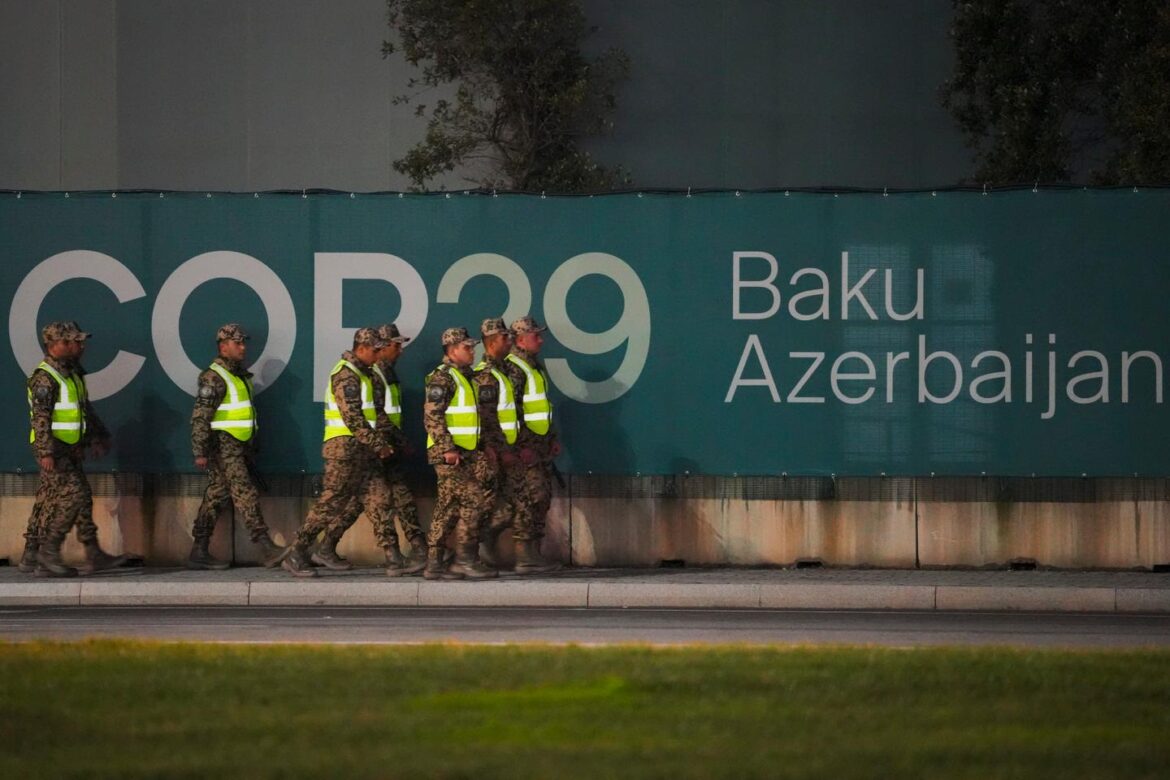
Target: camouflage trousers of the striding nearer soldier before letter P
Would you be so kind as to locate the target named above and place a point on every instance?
(350, 485)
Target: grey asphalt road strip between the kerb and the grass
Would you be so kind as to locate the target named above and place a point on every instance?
(490, 626)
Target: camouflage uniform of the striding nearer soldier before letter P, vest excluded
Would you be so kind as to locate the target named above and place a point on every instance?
(352, 480)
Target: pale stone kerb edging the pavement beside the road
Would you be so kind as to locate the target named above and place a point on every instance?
(588, 595)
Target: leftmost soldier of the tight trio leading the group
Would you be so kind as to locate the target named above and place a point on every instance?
(465, 461)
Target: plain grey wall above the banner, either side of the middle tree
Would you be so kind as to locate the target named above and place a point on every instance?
(245, 95)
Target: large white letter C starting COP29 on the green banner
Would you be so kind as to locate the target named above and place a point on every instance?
(49, 274)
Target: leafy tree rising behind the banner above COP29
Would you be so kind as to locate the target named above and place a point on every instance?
(525, 94)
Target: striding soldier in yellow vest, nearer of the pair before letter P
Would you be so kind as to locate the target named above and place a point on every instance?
(353, 445)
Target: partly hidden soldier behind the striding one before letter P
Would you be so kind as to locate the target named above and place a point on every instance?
(401, 502)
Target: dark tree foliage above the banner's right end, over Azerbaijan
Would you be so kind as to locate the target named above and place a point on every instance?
(1056, 91)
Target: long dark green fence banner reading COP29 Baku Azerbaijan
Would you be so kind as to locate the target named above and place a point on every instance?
(1011, 334)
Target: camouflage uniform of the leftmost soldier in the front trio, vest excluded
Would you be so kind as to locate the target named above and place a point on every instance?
(467, 492)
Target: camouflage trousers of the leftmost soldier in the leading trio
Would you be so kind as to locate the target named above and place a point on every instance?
(467, 493)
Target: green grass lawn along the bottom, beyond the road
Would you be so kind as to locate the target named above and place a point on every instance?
(149, 710)
